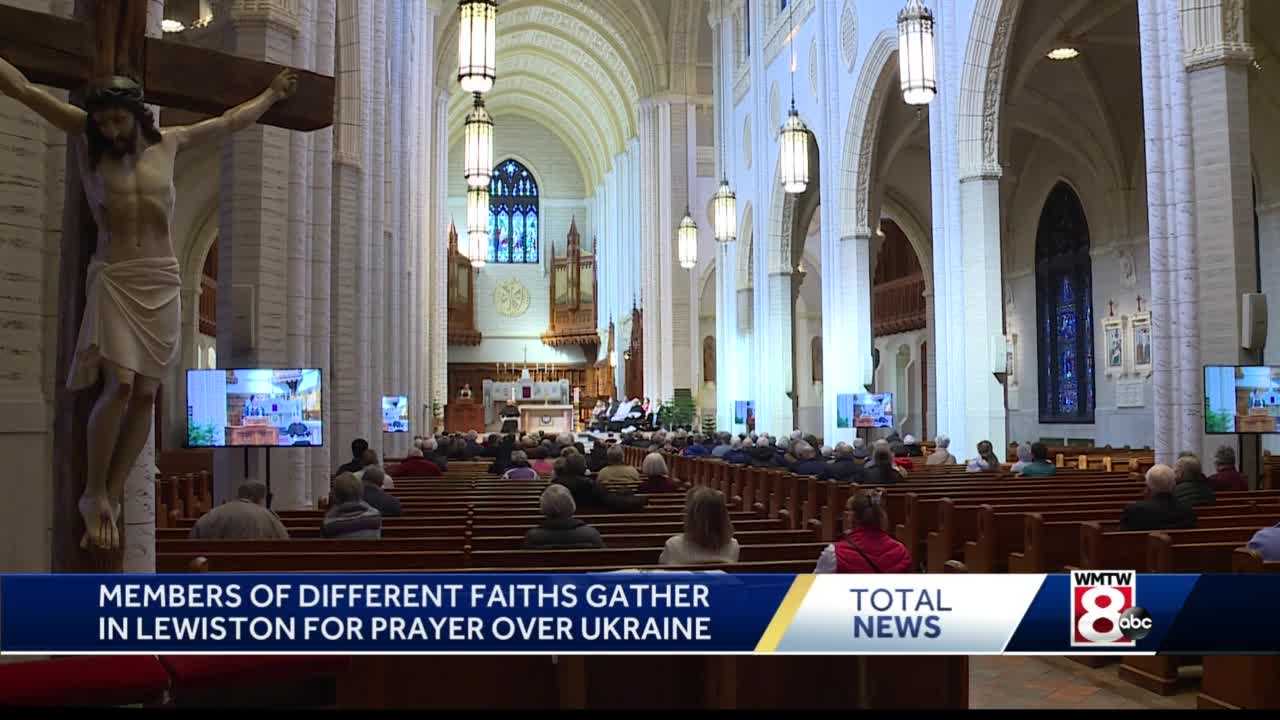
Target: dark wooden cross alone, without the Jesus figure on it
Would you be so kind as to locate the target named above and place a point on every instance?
(108, 38)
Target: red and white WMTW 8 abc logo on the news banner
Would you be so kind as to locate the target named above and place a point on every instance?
(1105, 609)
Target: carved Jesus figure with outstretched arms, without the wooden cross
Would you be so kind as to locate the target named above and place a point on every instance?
(132, 311)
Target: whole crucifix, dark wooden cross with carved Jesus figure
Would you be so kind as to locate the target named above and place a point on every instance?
(120, 309)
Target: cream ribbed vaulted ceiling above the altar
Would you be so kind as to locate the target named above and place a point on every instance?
(582, 67)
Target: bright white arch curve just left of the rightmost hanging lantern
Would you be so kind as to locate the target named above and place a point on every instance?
(860, 135)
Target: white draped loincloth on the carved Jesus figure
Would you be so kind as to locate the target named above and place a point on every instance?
(132, 320)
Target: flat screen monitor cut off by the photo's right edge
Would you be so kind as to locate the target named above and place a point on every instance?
(1242, 399)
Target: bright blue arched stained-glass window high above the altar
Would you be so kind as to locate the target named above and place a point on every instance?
(514, 221)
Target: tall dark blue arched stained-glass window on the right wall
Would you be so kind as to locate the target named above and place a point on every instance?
(1064, 311)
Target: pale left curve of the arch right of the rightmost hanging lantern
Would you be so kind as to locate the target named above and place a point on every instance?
(982, 86)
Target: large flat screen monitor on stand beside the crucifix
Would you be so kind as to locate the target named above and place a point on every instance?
(255, 408)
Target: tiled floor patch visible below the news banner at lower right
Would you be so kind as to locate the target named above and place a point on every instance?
(1060, 683)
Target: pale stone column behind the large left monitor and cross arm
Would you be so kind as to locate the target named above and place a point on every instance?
(254, 224)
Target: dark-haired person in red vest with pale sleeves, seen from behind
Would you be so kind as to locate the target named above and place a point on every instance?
(866, 549)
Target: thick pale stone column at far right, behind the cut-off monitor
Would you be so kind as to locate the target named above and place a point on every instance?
(1215, 198)
